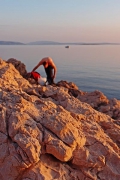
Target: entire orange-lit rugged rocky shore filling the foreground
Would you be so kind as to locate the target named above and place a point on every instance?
(55, 132)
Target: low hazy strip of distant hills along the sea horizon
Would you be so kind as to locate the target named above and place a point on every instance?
(54, 43)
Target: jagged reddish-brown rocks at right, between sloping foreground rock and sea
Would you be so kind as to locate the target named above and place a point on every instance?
(96, 99)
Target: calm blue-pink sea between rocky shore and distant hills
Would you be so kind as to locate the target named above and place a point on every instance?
(89, 67)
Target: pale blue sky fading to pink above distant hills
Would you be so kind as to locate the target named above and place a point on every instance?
(60, 20)
